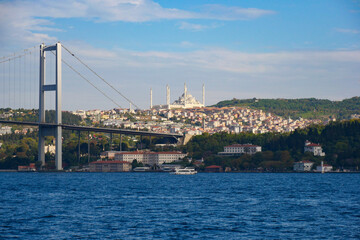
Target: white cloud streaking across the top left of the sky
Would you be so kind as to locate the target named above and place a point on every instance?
(21, 19)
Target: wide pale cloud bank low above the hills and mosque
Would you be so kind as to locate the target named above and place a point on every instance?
(322, 74)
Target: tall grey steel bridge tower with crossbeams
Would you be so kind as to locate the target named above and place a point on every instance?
(51, 130)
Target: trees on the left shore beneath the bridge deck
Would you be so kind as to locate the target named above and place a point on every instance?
(18, 149)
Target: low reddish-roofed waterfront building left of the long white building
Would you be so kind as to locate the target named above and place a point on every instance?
(110, 166)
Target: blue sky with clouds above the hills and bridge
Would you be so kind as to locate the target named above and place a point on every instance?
(237, 48)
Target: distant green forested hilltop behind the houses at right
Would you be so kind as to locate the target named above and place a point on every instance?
(306, 108)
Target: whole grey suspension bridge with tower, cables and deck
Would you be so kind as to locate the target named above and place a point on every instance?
(25, 81)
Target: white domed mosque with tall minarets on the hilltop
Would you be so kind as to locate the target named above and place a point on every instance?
(186, 100)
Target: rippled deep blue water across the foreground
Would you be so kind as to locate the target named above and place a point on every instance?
(164, 206)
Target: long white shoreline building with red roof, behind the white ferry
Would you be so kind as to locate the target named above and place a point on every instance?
(150, 158)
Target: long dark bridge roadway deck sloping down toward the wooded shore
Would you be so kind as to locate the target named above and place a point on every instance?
(93, 129)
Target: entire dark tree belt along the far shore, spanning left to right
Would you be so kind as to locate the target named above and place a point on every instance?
(340, 141)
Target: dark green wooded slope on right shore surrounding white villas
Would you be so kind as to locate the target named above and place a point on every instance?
(340, 141)
